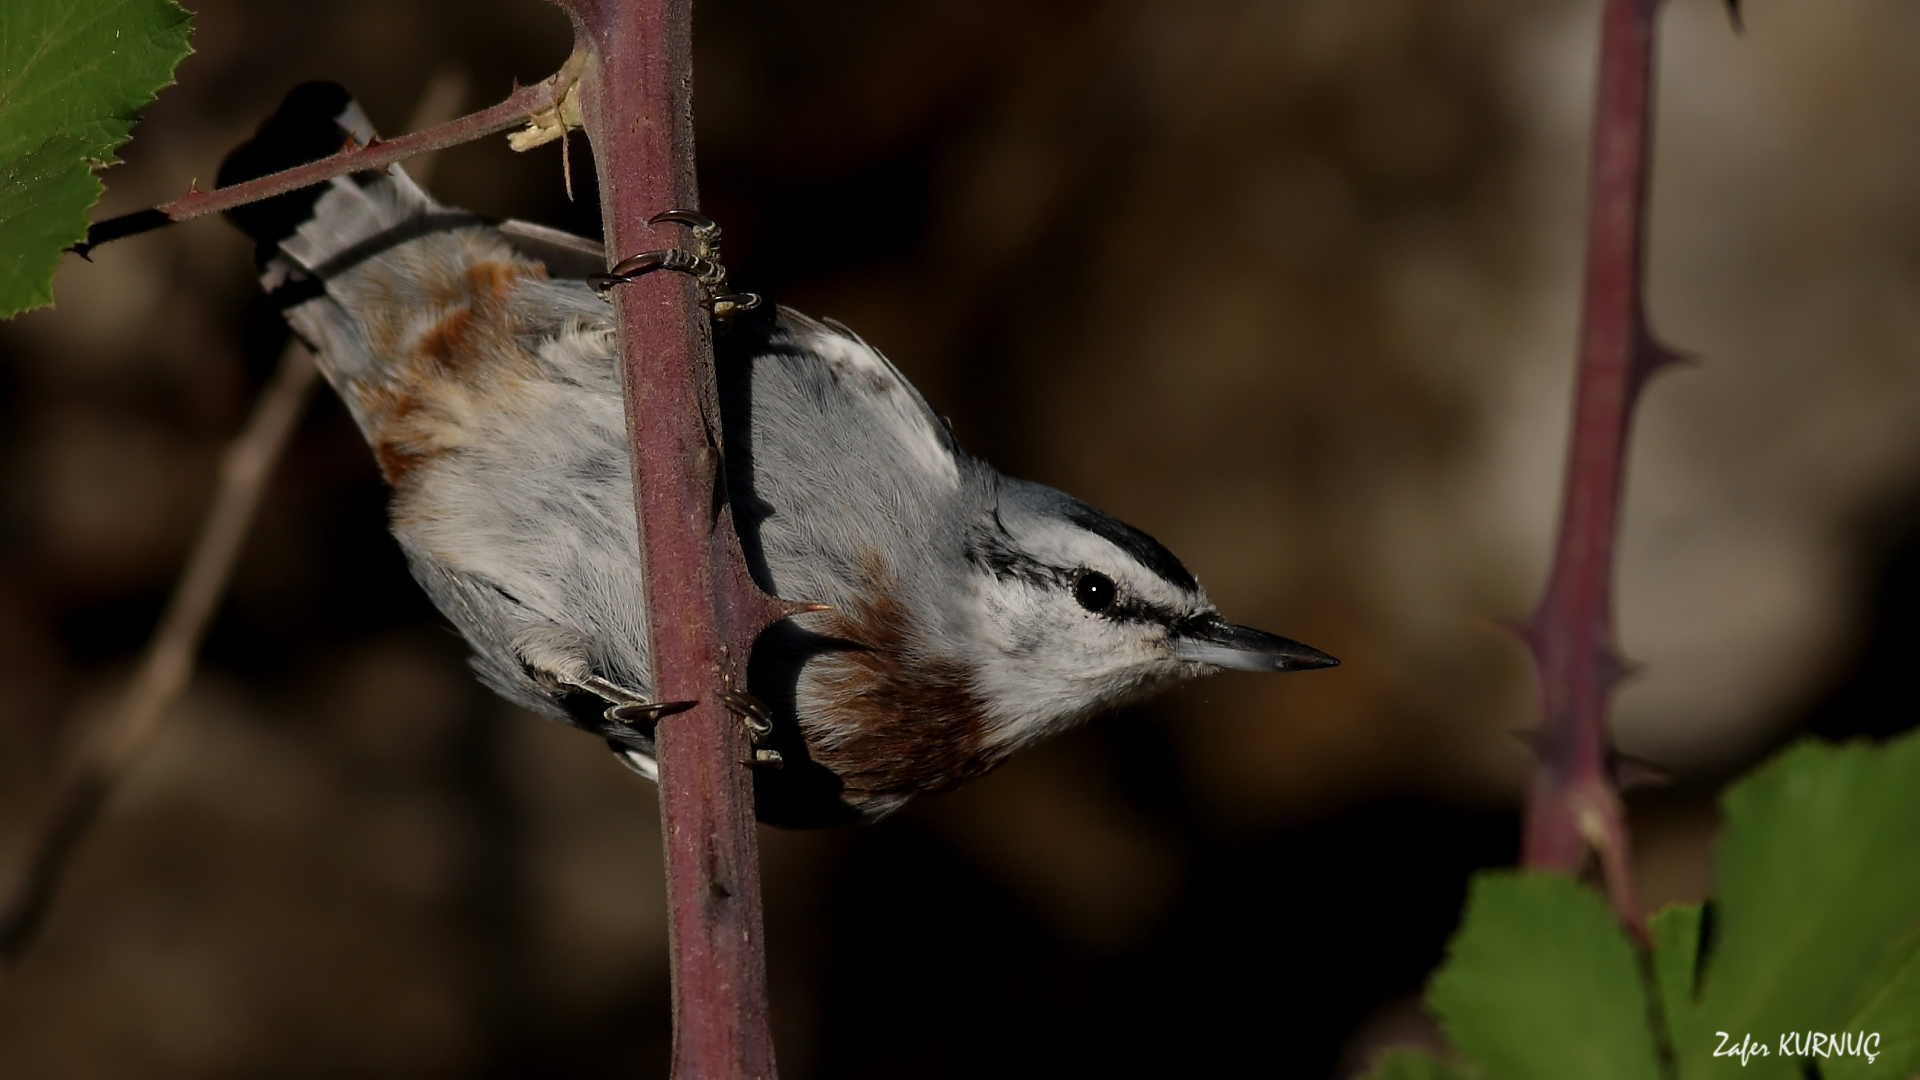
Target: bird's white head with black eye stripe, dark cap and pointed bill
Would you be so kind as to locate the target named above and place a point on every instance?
(1074, 612)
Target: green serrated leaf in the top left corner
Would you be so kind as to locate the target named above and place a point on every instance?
(74, 76)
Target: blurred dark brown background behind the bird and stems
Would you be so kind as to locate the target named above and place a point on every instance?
(1287, 283)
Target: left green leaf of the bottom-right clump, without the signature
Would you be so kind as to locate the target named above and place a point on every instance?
(1543, 985)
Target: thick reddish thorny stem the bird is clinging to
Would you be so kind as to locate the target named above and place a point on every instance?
(702, 604)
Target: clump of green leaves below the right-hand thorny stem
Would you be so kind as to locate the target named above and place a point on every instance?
(1817, 931)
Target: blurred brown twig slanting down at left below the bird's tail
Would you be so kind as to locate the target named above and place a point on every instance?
(170, 656)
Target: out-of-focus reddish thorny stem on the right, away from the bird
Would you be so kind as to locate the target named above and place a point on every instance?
(1573, 802)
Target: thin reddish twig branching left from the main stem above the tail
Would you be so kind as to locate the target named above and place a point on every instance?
(521, 107)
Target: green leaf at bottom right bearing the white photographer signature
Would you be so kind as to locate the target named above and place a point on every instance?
(1819, 900)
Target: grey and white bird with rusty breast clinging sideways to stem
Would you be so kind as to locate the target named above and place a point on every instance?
(961, 614)
